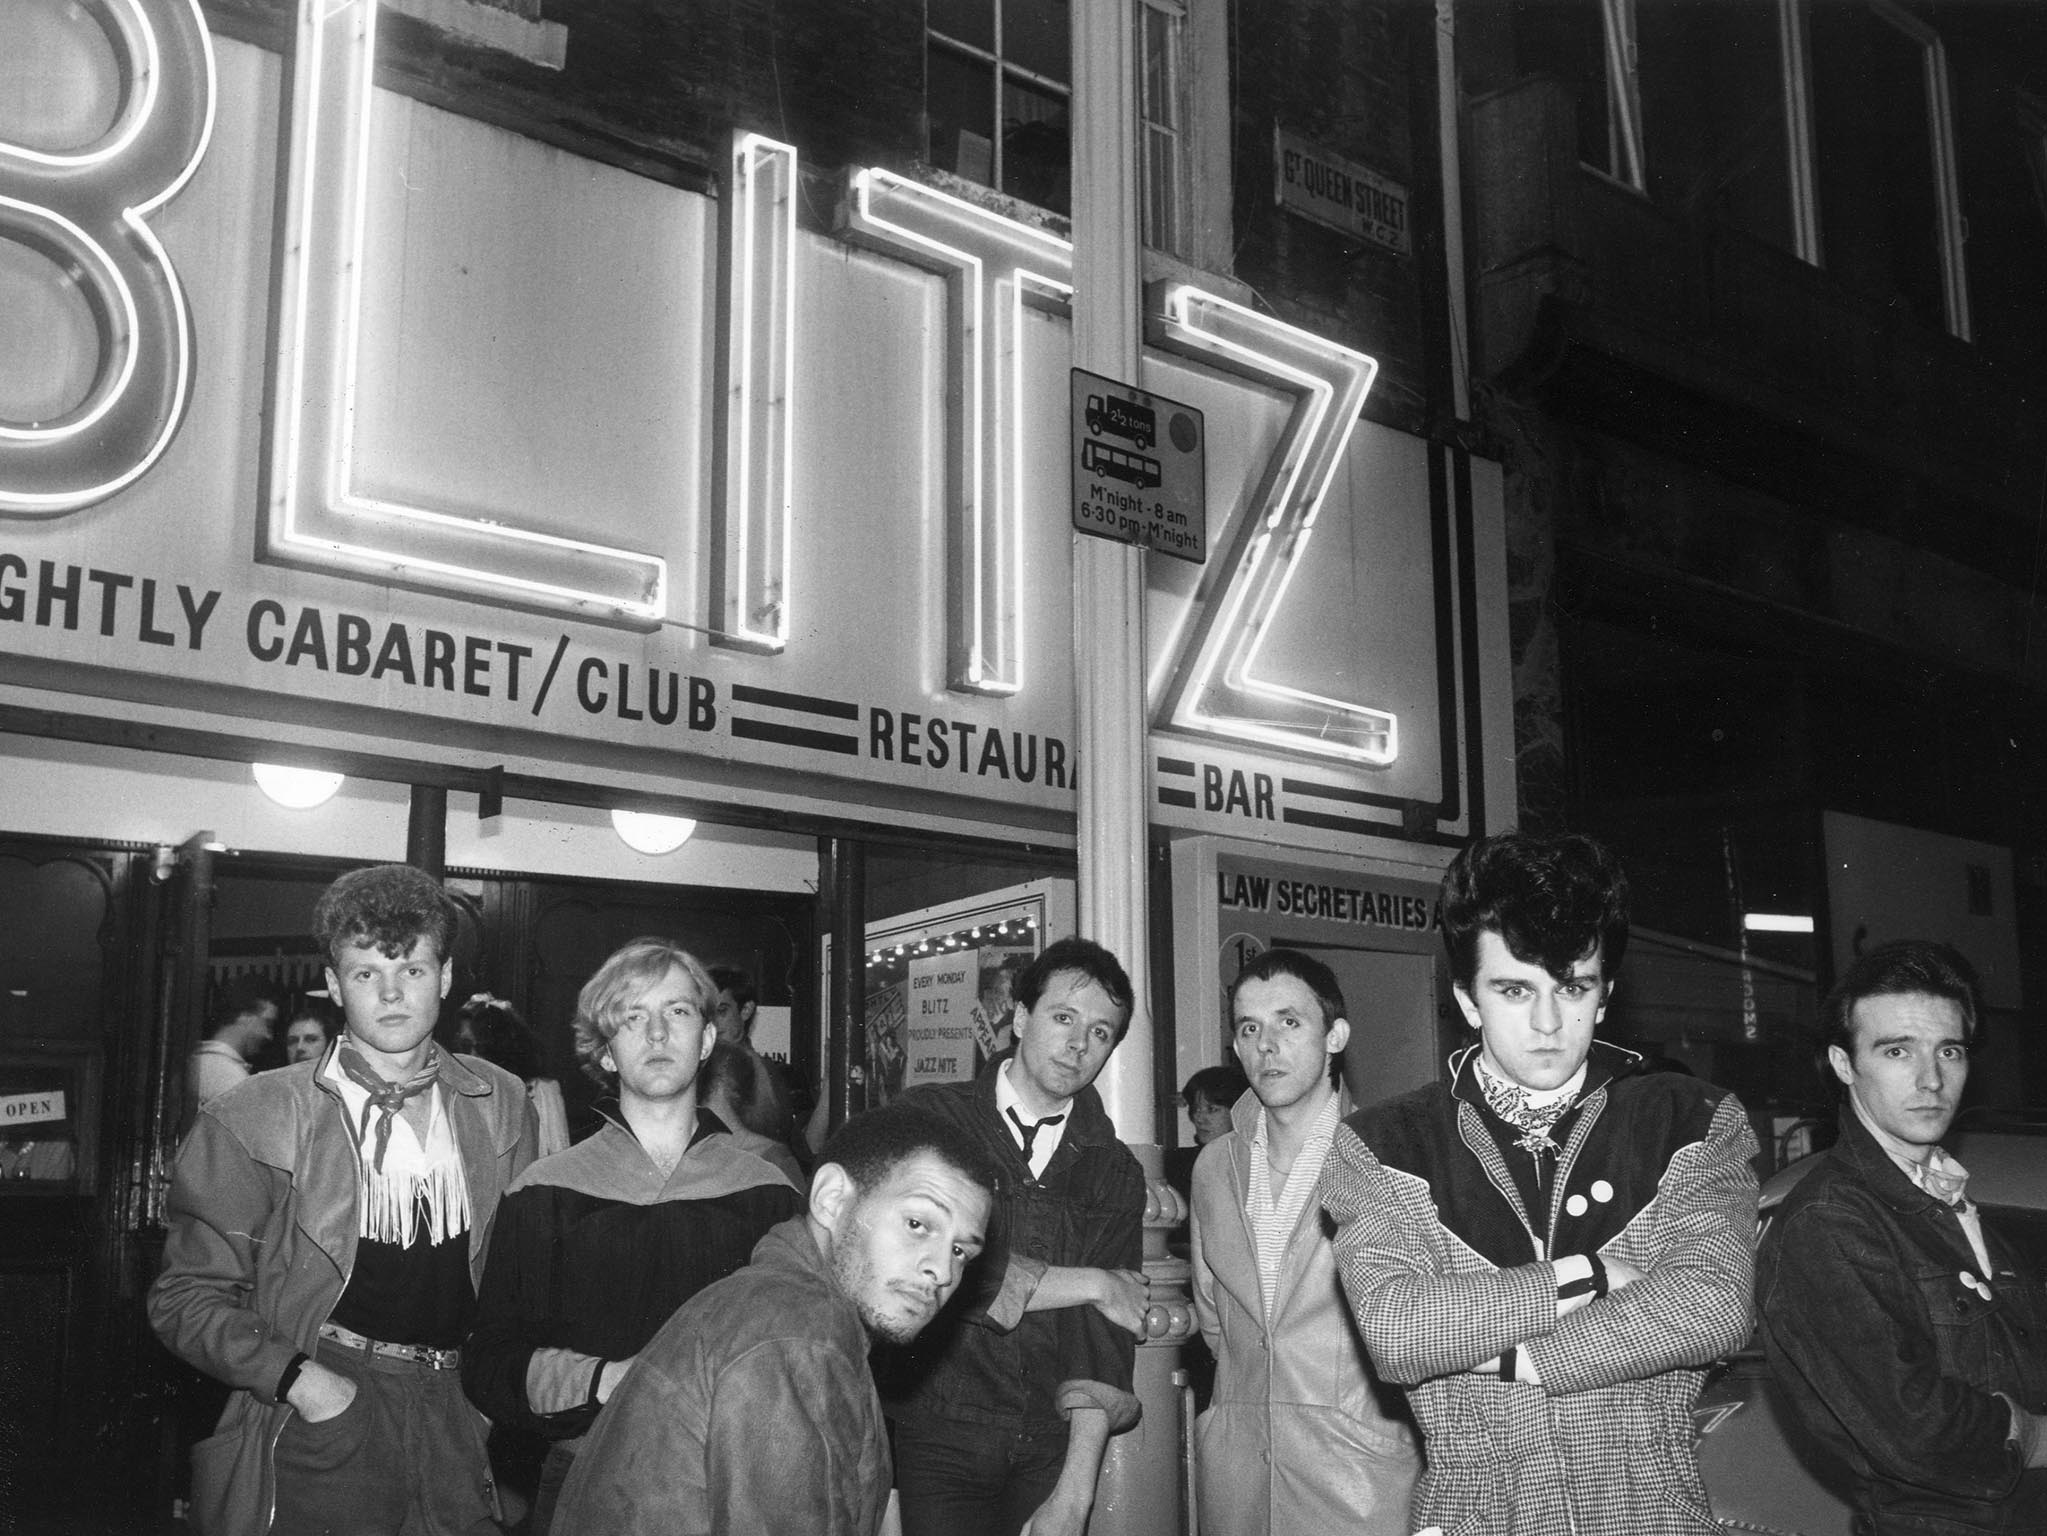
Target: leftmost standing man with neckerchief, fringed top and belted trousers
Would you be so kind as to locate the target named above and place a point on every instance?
(329, 1226)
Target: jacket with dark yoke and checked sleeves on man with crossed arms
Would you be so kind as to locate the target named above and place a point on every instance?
(1446, 1269)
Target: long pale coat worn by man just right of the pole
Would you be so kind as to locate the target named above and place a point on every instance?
(1295, 1439)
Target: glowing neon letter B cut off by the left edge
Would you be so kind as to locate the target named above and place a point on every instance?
(89, 214)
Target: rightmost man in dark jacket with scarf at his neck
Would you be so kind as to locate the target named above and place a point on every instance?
(1909, 1332)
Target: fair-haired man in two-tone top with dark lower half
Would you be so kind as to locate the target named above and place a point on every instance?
(601, 1244)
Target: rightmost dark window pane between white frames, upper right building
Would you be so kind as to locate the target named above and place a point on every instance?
(1880, 220)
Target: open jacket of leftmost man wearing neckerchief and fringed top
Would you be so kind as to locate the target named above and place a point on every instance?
(263, 1240)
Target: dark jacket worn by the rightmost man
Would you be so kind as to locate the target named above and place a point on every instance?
(1894, 1359)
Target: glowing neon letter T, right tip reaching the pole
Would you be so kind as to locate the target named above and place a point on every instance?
(992, 269)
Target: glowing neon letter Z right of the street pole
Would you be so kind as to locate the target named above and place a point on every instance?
(1219, 689)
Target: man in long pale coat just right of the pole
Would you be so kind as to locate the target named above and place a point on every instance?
(1295, 1439)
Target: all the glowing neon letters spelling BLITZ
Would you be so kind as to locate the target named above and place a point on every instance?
(91, 214)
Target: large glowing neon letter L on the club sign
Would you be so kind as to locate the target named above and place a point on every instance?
(314, 513)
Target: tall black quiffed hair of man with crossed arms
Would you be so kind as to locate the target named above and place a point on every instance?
(1551, 900)
